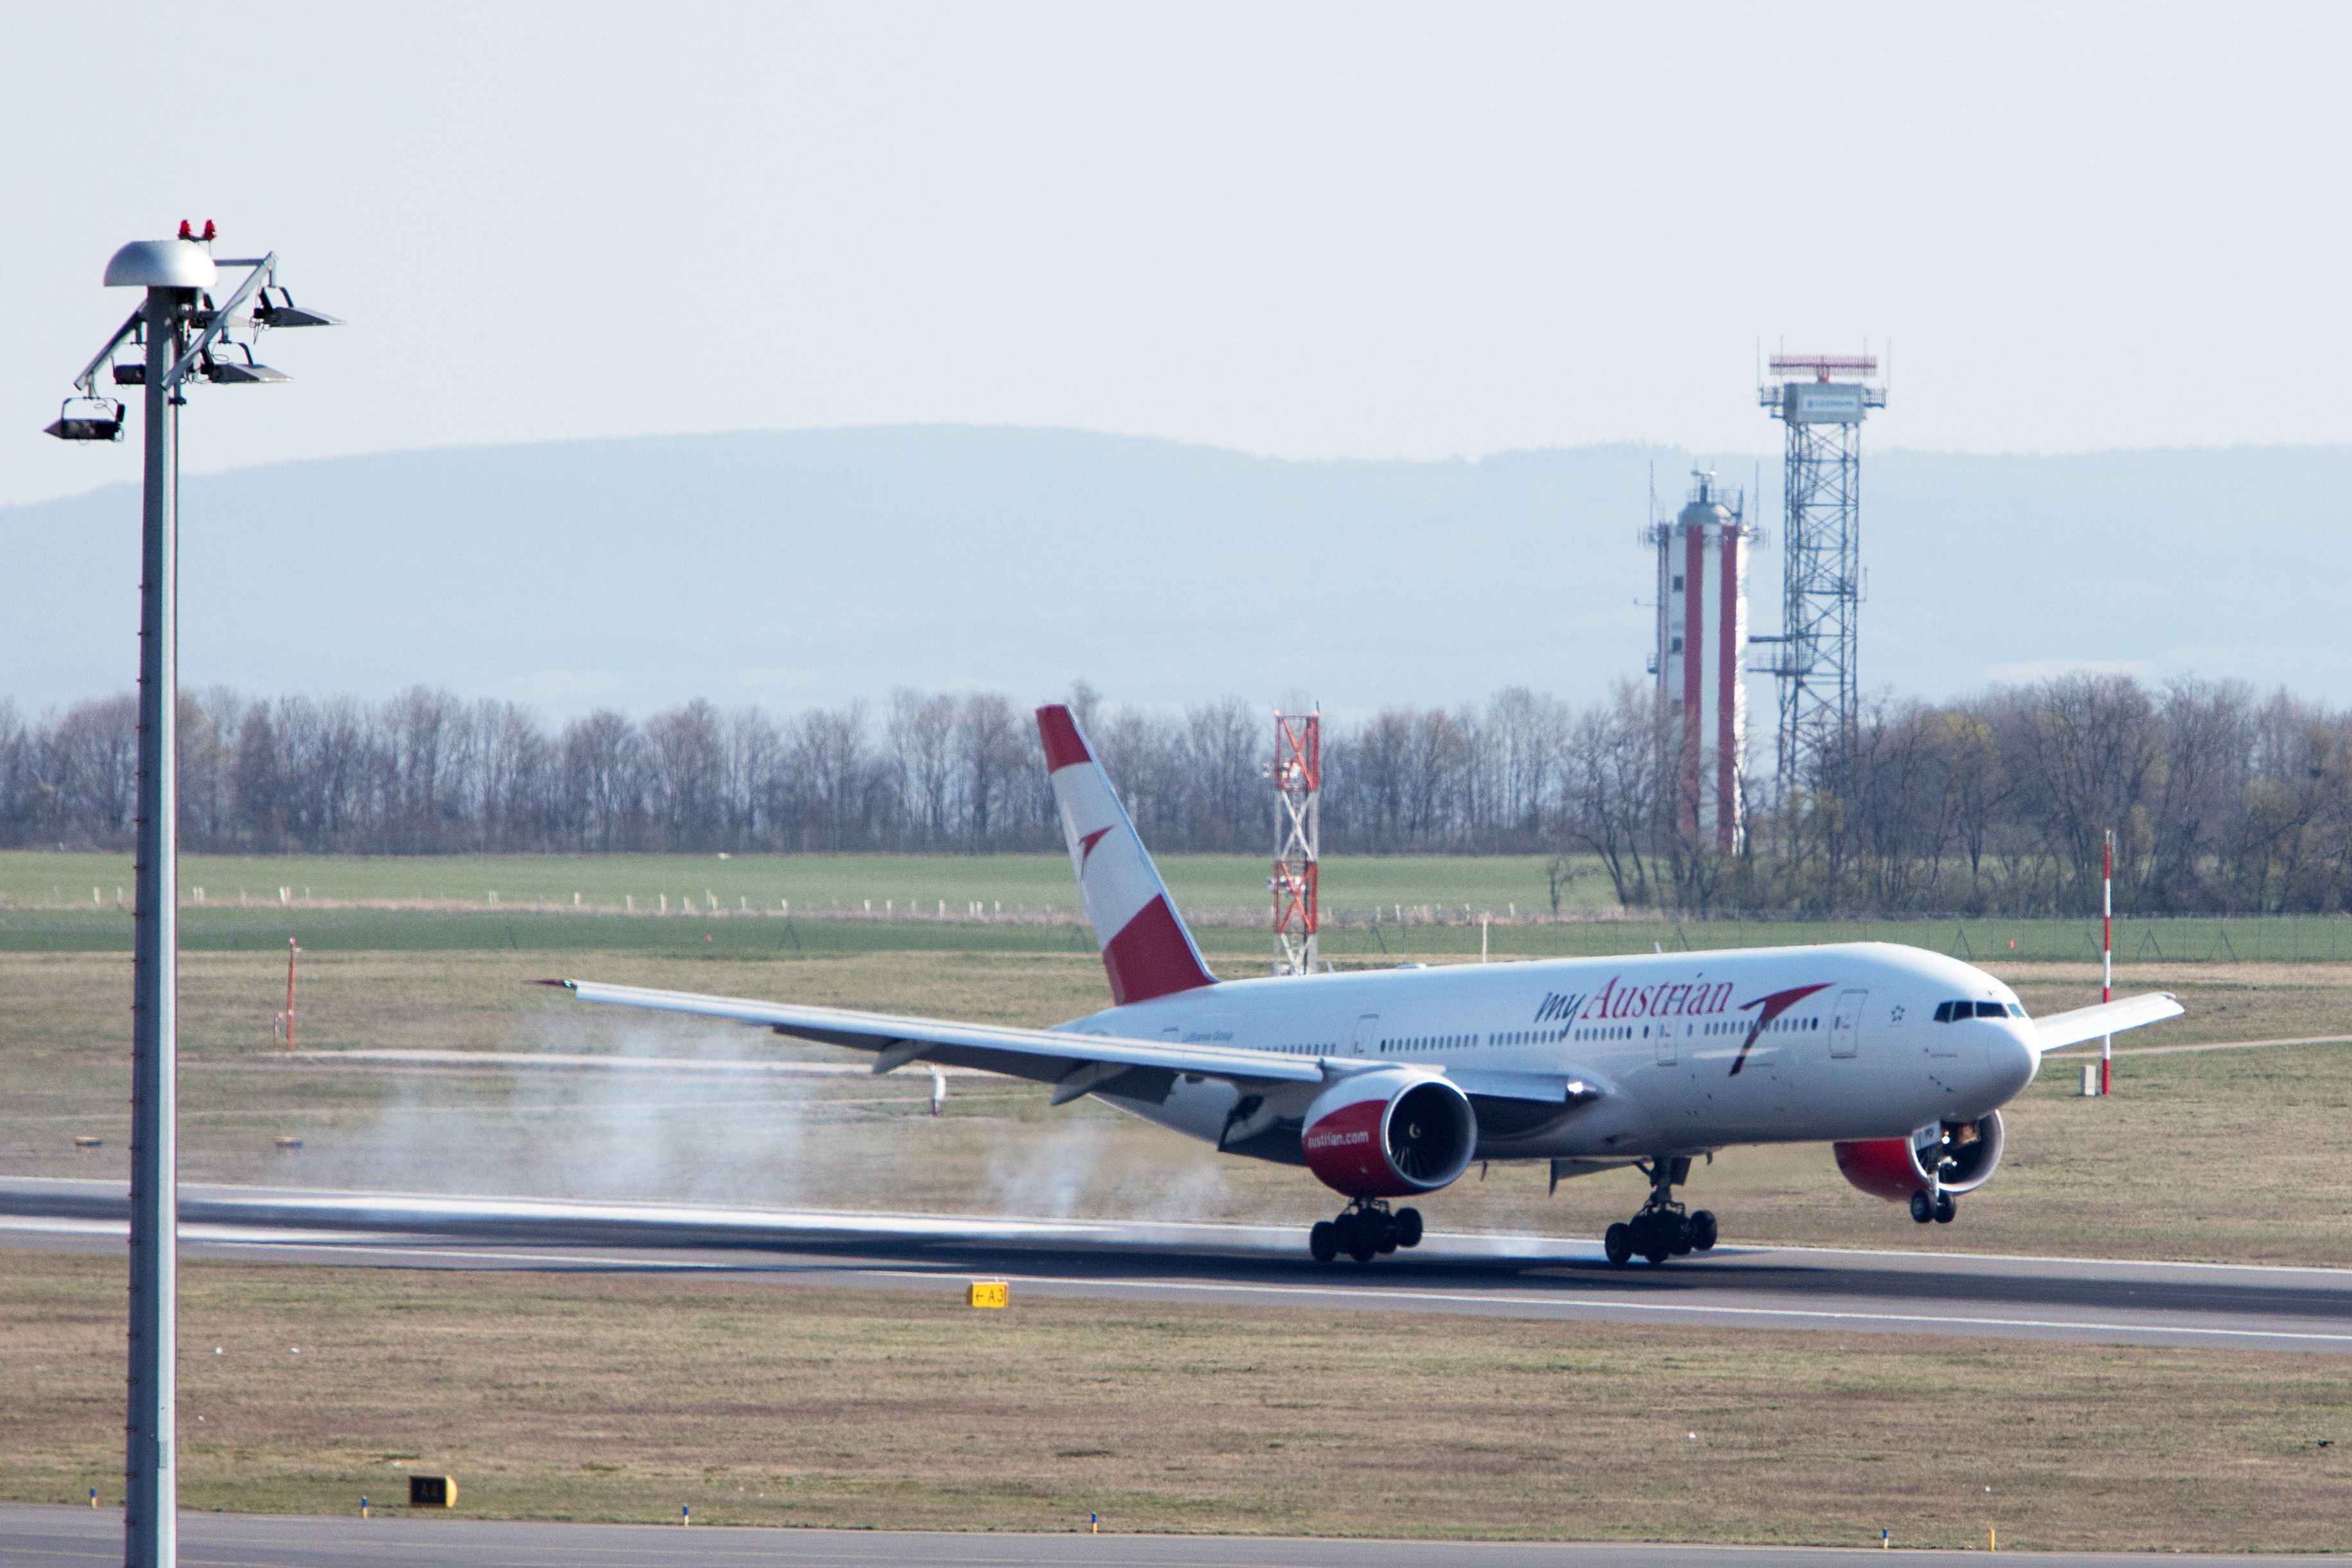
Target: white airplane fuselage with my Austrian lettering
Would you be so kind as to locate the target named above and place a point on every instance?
(1838, 1043)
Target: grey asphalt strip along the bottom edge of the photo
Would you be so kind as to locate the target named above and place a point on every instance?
(58, 1536)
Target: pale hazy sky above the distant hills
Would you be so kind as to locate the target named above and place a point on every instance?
(1307, 232)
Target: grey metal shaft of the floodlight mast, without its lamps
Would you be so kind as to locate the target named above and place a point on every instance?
(152, 1459)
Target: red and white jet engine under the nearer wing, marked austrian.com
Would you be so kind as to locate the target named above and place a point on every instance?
(1389, 1132)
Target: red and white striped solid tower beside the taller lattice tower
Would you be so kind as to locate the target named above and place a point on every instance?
(1702, 657)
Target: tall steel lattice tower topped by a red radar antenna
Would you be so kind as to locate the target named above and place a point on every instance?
(1822, 401)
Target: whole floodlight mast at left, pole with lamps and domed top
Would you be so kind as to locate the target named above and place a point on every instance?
(175, 276)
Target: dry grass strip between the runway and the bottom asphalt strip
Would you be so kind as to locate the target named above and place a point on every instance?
(629, 1398)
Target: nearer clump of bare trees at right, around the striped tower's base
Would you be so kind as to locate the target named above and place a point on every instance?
(2219, 800)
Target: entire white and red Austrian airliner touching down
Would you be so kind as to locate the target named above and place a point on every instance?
(1389, 1085)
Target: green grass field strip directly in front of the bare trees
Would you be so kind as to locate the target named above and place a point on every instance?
(1377, 911)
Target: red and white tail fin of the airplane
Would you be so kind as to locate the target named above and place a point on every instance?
(1147, 951)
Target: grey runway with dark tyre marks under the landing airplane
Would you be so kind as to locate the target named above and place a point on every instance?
(1532, 1278)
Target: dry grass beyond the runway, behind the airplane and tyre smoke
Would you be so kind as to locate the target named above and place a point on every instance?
(2203, 1155)
